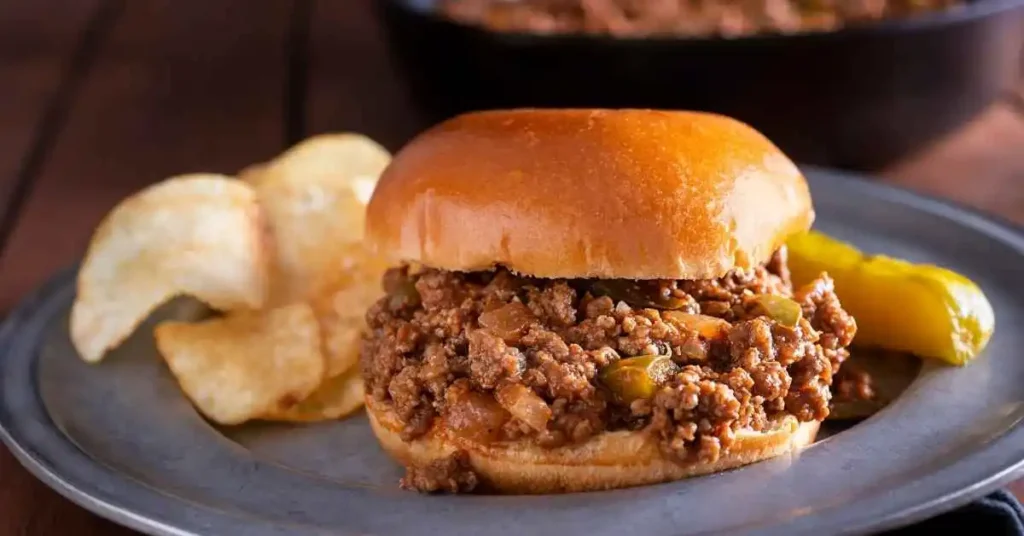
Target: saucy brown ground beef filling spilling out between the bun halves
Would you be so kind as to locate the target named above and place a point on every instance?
(501, 357)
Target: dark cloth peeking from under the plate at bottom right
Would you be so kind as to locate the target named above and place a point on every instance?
(997, 515)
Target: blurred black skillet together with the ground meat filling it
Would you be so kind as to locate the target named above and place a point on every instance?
(848, 84)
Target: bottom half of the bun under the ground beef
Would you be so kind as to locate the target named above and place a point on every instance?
(610, 461)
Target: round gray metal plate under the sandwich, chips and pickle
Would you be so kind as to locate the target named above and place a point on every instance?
(121, 440)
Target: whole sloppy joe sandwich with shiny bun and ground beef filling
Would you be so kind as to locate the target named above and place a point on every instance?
(586, 300)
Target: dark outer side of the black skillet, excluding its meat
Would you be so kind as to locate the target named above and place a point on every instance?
(860, 98)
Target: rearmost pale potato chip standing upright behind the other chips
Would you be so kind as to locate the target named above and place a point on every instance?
(315, 196)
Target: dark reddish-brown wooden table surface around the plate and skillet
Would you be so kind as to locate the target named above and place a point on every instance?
(104, 97)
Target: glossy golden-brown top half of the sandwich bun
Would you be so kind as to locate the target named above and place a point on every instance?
(589, 194)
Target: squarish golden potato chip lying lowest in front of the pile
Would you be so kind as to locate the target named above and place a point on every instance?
(246, 364)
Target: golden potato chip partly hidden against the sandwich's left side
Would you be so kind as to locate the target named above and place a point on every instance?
(342, 309)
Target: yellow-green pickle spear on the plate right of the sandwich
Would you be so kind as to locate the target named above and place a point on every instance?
(924, 310)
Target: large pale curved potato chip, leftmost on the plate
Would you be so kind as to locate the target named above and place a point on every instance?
(197, 235)
